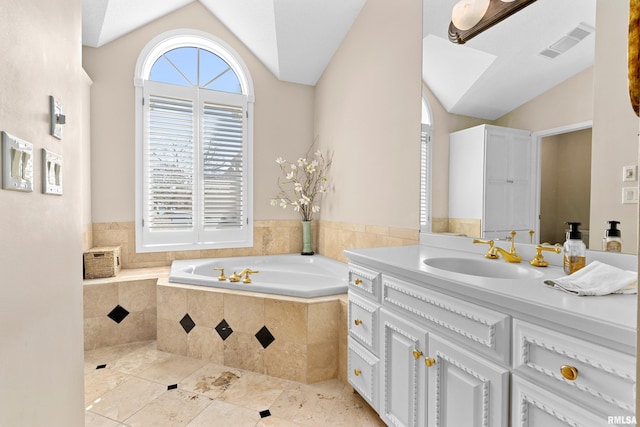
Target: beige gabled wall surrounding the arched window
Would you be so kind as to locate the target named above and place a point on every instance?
(283, 117)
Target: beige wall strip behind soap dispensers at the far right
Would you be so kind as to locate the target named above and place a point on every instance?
(615, 125)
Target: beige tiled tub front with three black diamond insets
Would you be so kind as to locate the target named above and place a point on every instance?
(286, 337)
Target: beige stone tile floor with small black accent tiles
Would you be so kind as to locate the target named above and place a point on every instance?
(136, 385)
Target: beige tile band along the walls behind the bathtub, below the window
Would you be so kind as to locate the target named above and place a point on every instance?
(271, 237)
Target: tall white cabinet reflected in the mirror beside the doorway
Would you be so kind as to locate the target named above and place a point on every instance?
(492, 181)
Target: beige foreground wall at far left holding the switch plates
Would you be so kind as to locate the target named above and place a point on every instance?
(41, 358)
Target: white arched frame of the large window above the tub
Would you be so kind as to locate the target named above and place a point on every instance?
(148, 56)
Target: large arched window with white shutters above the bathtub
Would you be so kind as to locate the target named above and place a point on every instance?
(194, 115)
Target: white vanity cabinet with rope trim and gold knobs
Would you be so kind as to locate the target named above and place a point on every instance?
(437, 357)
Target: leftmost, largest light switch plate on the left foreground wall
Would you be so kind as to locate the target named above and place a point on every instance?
(17, 163)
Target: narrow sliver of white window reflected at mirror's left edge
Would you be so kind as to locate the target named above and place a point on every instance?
(425, 168)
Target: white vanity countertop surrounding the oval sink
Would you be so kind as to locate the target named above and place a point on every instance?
(609, 320)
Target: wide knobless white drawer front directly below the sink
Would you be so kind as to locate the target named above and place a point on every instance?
(479, 328)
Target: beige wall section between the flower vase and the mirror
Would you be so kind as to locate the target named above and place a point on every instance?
(367, 110)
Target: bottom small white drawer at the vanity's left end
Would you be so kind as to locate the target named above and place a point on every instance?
(363, 372)
